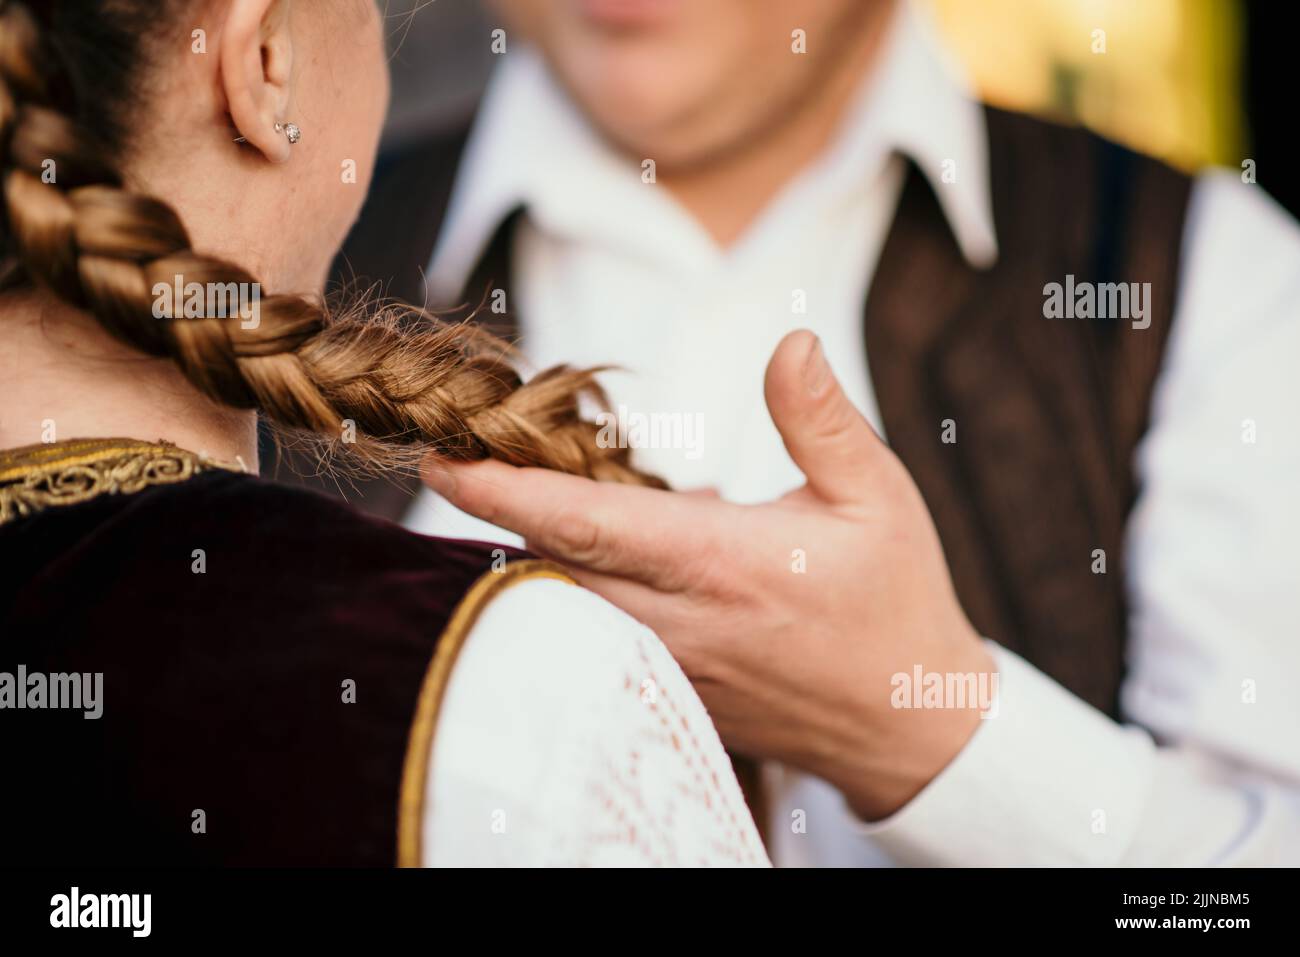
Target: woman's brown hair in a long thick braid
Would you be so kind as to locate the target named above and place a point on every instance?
(406, 382)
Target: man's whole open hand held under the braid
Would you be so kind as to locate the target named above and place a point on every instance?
(791, 618)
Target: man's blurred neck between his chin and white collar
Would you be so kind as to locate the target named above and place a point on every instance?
(727, 194)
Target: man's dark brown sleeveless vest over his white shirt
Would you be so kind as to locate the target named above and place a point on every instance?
(1047, 412)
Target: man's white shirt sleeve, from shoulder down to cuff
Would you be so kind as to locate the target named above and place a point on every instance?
(1207, 768)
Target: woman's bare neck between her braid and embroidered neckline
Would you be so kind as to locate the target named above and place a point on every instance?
(66, 378)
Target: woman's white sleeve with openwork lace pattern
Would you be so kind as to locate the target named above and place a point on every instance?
(569, 737)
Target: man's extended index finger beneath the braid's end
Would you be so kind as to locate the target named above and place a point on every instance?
(639, 534)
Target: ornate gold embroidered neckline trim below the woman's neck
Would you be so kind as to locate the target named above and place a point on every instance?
(41, 477)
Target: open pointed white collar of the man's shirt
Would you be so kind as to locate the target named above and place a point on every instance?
(532, 148)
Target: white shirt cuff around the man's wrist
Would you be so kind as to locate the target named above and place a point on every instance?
(1046, 781)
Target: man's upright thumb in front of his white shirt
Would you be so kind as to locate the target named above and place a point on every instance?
(827, 438)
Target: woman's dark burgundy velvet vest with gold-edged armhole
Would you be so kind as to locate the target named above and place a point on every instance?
(259, 712)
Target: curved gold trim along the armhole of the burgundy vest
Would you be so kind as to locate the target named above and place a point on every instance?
(413, 802)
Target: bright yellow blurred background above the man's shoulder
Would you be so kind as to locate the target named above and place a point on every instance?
(1168, 83)
